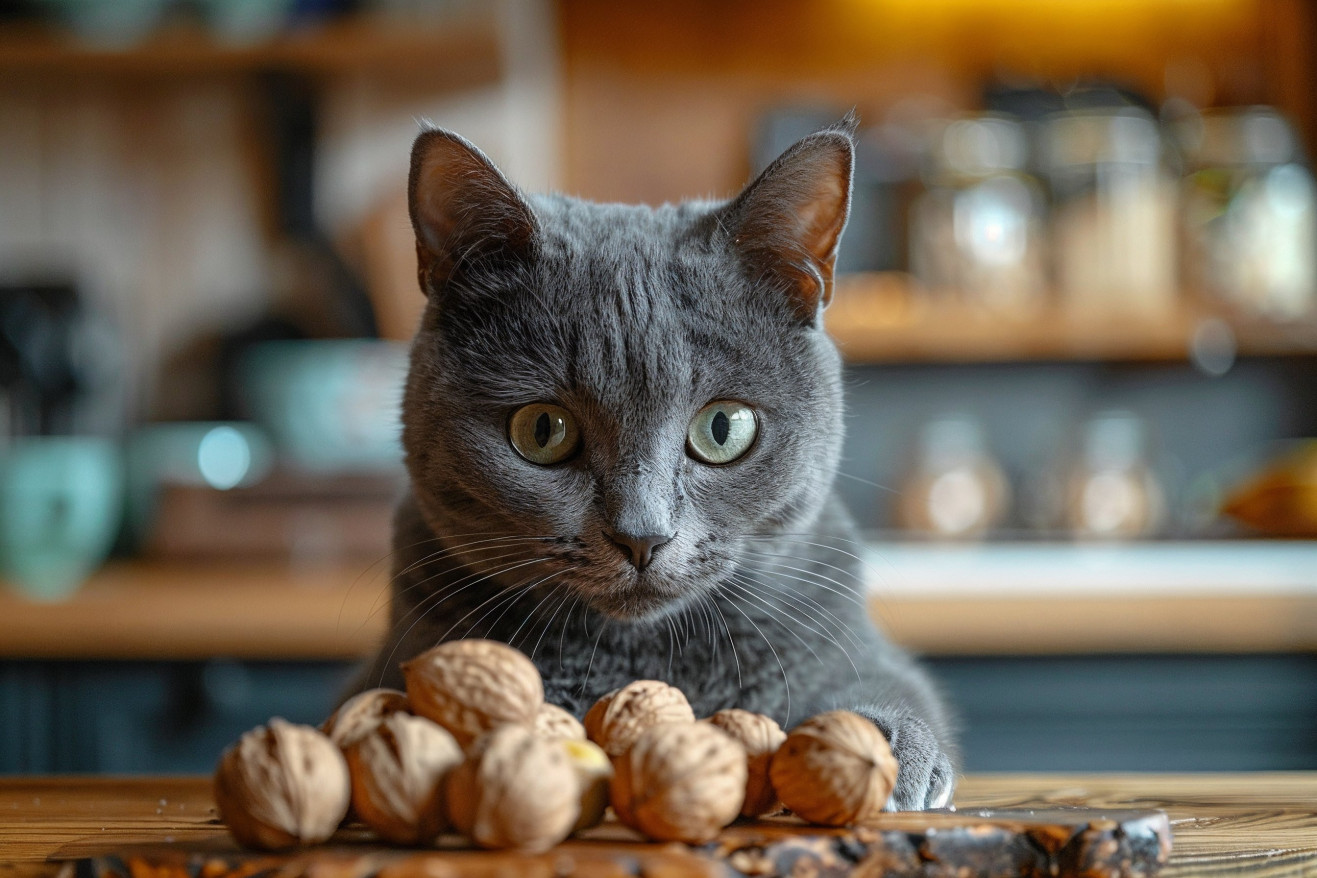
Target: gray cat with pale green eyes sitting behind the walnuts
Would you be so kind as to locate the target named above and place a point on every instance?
(622, 427)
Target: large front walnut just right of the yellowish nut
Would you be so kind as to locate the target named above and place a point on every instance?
(680, 783)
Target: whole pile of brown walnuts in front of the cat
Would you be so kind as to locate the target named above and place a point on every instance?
(472, 747)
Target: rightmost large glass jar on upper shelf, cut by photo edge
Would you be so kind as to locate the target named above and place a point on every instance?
(1250, 238)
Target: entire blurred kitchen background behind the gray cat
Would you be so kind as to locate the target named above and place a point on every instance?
(1079, 310)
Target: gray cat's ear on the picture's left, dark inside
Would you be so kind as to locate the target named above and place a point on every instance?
(463, 210)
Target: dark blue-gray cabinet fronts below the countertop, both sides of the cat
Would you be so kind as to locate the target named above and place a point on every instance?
(1045, 714)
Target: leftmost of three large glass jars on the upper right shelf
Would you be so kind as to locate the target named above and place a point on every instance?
(977, 231)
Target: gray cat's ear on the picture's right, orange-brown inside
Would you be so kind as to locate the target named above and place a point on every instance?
(787, 224)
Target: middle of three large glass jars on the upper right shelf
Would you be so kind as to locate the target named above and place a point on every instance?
(1114, 234)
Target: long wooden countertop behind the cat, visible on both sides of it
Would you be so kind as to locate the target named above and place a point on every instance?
(1008, 600)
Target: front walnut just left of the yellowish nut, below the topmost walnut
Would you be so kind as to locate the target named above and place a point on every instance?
(514, 790)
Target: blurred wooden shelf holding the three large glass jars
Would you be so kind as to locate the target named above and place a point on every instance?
(880, 319)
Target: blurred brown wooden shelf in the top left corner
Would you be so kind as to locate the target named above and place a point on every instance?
(336, 47)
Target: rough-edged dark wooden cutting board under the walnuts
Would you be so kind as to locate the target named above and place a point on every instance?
(1061, 843)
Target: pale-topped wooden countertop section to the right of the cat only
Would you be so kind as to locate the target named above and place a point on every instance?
(1091, 598)
